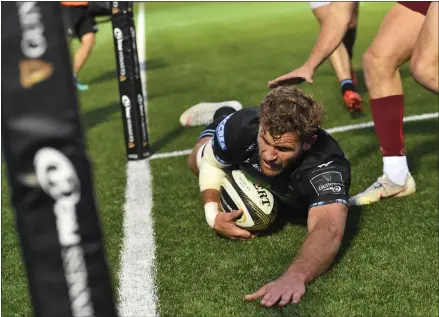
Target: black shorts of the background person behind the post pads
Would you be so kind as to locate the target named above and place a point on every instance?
(78, 21)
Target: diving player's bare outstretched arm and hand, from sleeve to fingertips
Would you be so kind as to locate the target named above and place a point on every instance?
(325, 231)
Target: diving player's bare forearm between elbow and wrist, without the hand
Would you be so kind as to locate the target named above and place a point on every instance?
(316, 255)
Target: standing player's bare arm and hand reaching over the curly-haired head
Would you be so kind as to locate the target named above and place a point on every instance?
(331, 34)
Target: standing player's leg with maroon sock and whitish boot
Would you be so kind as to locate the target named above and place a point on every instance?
(391, 47)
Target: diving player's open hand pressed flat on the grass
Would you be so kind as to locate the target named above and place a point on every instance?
(286, 289)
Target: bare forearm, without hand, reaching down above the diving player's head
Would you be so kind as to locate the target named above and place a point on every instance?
(331, 35)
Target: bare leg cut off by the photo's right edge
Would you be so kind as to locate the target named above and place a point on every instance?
(424, 61)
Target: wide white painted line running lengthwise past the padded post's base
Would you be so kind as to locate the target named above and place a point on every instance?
(137, 290)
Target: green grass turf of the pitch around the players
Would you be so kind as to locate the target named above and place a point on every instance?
(221, 51)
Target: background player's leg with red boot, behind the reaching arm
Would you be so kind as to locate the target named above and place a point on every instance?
(340, 60)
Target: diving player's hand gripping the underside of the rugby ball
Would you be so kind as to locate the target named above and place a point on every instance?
(225, 225)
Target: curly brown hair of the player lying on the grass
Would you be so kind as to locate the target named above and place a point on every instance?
(290, 109)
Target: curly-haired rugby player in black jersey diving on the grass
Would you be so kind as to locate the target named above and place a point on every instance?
(281, 144)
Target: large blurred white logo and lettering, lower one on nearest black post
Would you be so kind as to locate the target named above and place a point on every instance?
(57, 177)
